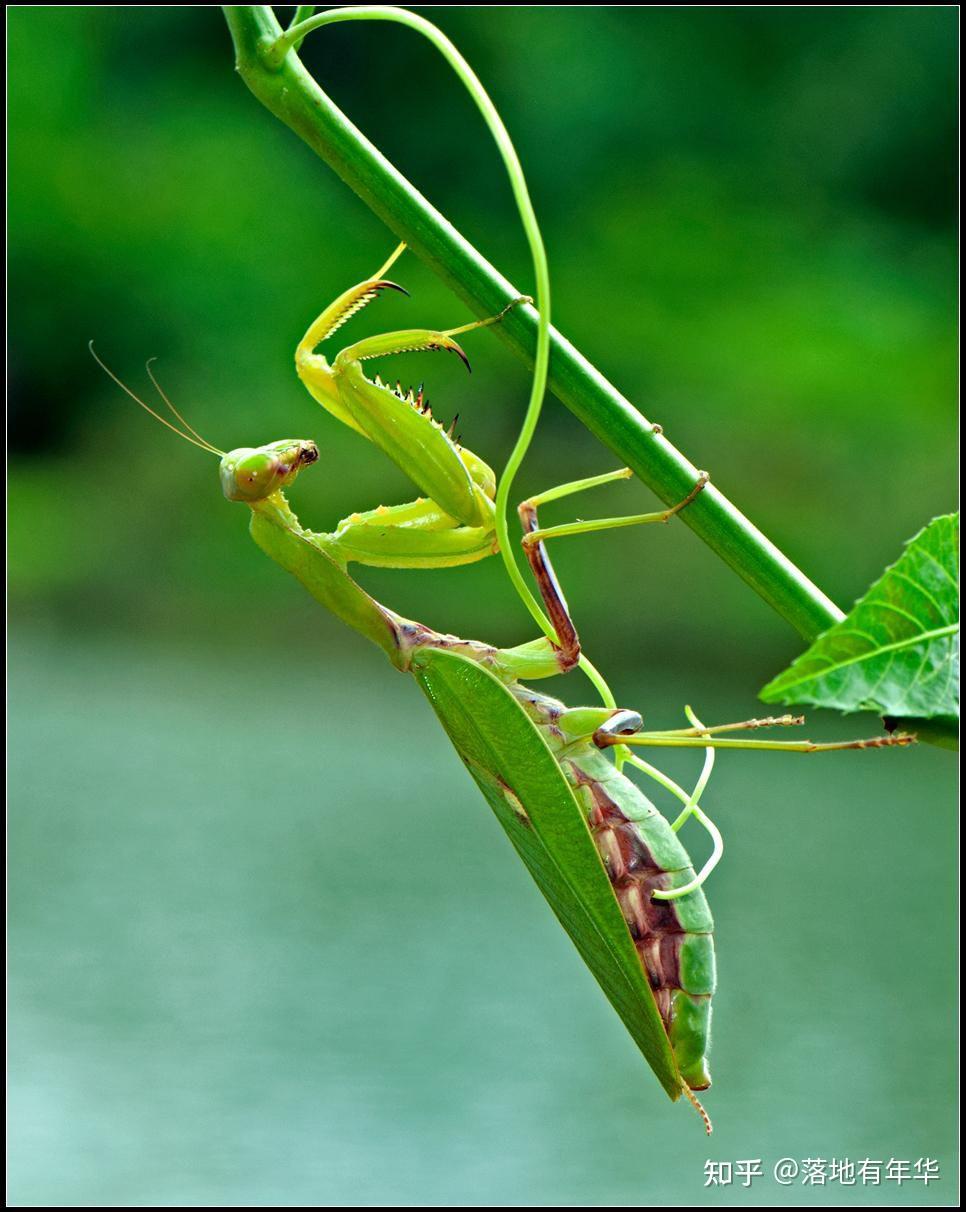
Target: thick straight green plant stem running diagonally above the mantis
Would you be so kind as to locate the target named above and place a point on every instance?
(289, 92)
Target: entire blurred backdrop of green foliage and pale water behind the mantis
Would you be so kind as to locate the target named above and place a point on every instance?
(267, 946)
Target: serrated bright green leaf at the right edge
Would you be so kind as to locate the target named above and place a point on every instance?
(898, 650)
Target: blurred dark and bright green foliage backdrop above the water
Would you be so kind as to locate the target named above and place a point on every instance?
(751, 225)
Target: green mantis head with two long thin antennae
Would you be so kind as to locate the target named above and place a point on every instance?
(250, 473)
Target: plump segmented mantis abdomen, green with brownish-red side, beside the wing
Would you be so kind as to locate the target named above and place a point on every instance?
(642, 855)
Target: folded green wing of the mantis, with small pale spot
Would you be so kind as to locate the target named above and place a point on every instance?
(527, 790)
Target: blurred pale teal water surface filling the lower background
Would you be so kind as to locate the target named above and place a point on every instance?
(270, 948)
